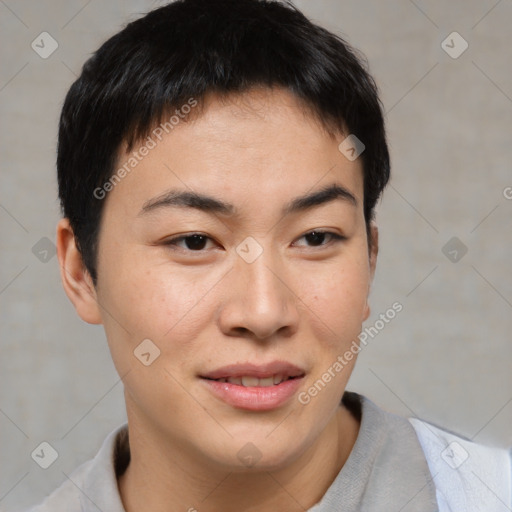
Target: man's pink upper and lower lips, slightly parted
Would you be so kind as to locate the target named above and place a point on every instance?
(255, 398)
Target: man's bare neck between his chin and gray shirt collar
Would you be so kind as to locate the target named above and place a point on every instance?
(163, 478)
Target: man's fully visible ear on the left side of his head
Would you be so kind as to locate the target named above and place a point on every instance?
(76, 280)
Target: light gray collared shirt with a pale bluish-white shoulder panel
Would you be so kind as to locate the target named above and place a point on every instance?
(395, 465)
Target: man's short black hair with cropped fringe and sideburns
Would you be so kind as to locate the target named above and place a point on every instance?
(186, 50)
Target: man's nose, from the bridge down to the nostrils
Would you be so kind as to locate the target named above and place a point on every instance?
(259, 301)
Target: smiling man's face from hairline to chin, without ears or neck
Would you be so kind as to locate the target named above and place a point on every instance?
(223, 248)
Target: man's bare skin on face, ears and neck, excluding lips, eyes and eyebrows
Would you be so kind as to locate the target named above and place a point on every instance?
(300, 301)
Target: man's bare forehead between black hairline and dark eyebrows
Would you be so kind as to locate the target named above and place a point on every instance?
(262, 147)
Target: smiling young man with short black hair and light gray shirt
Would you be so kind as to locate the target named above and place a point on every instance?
(219, 163)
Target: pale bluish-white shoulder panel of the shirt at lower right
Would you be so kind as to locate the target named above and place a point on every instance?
(468, 476)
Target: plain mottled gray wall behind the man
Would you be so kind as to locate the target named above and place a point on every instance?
(445, 358)
